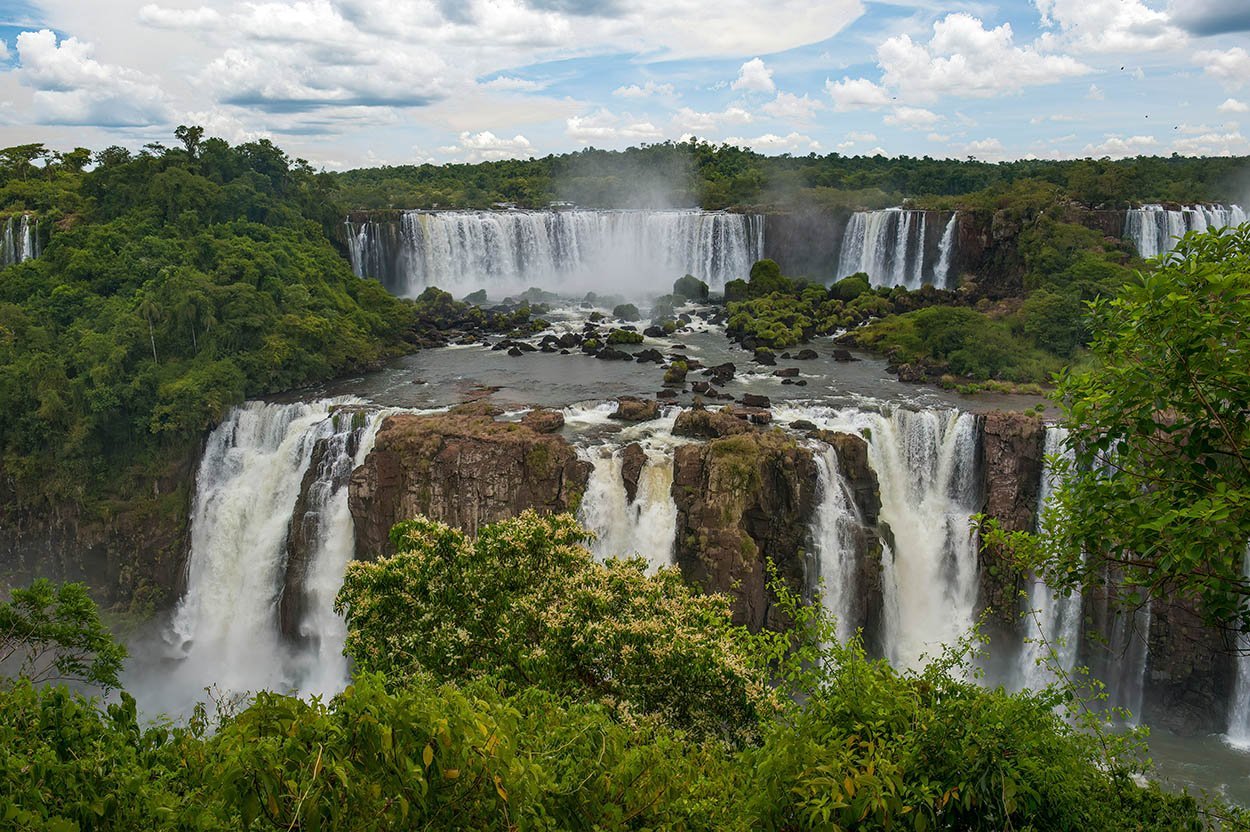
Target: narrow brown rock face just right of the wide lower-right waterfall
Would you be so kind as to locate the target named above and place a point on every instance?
(1012, 453)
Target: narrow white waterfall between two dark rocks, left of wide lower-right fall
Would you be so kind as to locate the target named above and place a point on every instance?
(836, 540)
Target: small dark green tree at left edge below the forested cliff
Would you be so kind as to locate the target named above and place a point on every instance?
(54, 633)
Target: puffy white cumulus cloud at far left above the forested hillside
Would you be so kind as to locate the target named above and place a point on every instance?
(72, 88)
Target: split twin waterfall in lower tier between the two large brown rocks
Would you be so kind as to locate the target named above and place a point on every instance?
(648, 525)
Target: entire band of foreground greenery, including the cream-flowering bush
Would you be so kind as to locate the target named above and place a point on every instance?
(512, 681)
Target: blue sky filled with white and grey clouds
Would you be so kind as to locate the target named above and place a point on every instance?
(363, 83)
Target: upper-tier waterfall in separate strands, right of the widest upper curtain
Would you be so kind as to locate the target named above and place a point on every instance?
(893, 249)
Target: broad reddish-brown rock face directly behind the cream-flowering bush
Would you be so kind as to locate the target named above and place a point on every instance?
(461, 468)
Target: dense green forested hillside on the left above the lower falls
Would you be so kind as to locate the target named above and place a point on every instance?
(174, 284)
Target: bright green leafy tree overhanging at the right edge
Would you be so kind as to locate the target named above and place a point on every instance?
(1159, 488)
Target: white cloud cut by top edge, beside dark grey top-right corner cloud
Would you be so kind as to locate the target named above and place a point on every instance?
(1107, 27)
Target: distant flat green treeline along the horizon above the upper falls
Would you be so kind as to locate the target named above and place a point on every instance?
(718, 177)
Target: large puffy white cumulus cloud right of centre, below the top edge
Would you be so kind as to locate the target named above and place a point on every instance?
(966, 59)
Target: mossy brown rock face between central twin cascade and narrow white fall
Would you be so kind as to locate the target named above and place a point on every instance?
(742, 502)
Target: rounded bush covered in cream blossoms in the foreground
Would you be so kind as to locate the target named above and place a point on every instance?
(526, 604)
